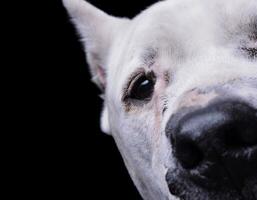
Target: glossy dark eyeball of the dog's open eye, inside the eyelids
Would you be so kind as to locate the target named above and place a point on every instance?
(142, 88)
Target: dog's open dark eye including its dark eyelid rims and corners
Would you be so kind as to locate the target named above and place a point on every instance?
(141, 87)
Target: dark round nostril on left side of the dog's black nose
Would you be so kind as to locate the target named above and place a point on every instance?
(188, 153)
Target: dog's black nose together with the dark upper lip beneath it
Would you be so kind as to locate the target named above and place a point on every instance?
(217, 144)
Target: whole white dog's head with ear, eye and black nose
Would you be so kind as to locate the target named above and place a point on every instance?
(180, 90)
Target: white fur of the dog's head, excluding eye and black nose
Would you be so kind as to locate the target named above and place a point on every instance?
(197, 43)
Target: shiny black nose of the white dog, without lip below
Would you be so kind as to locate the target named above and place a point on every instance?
(202, 135)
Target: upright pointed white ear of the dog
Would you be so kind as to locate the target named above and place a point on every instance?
(97, 30)
